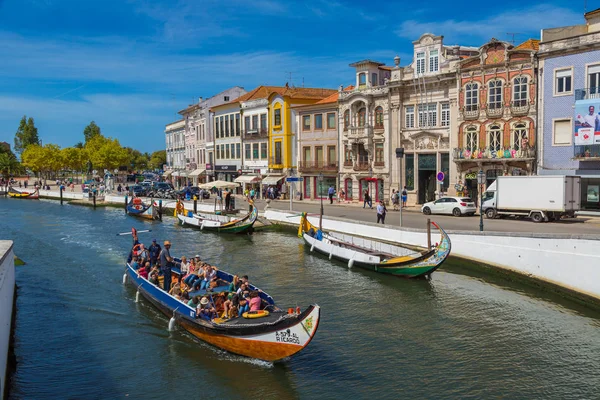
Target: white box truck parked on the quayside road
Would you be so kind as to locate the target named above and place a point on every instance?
(541, 198)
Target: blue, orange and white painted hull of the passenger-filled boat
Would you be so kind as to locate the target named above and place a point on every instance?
(264, 341)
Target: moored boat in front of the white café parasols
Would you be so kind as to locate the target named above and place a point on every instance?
(218, 223)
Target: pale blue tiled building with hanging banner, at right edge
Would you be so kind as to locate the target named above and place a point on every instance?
(569, 94)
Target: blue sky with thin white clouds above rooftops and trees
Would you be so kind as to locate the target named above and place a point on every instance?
(130, 65)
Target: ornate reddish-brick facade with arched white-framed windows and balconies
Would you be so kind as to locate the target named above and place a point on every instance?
(497, 118)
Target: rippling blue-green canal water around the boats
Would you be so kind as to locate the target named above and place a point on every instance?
(80, 334)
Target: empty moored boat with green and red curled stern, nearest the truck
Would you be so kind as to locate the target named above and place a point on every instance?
(376, 256)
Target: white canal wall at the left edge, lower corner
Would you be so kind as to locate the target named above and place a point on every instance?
(7, 296)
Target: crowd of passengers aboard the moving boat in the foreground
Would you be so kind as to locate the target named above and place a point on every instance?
(195, 276)
